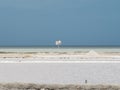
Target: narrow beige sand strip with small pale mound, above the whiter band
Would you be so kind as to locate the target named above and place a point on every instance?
(89, 54)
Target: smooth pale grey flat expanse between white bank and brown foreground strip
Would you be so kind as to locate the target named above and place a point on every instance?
(61, 73)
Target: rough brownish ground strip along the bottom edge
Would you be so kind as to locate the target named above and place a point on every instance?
(32, 86)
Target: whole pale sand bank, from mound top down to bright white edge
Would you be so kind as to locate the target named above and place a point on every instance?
(90, 57)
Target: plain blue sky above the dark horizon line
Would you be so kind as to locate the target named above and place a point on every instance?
(74, 22)
